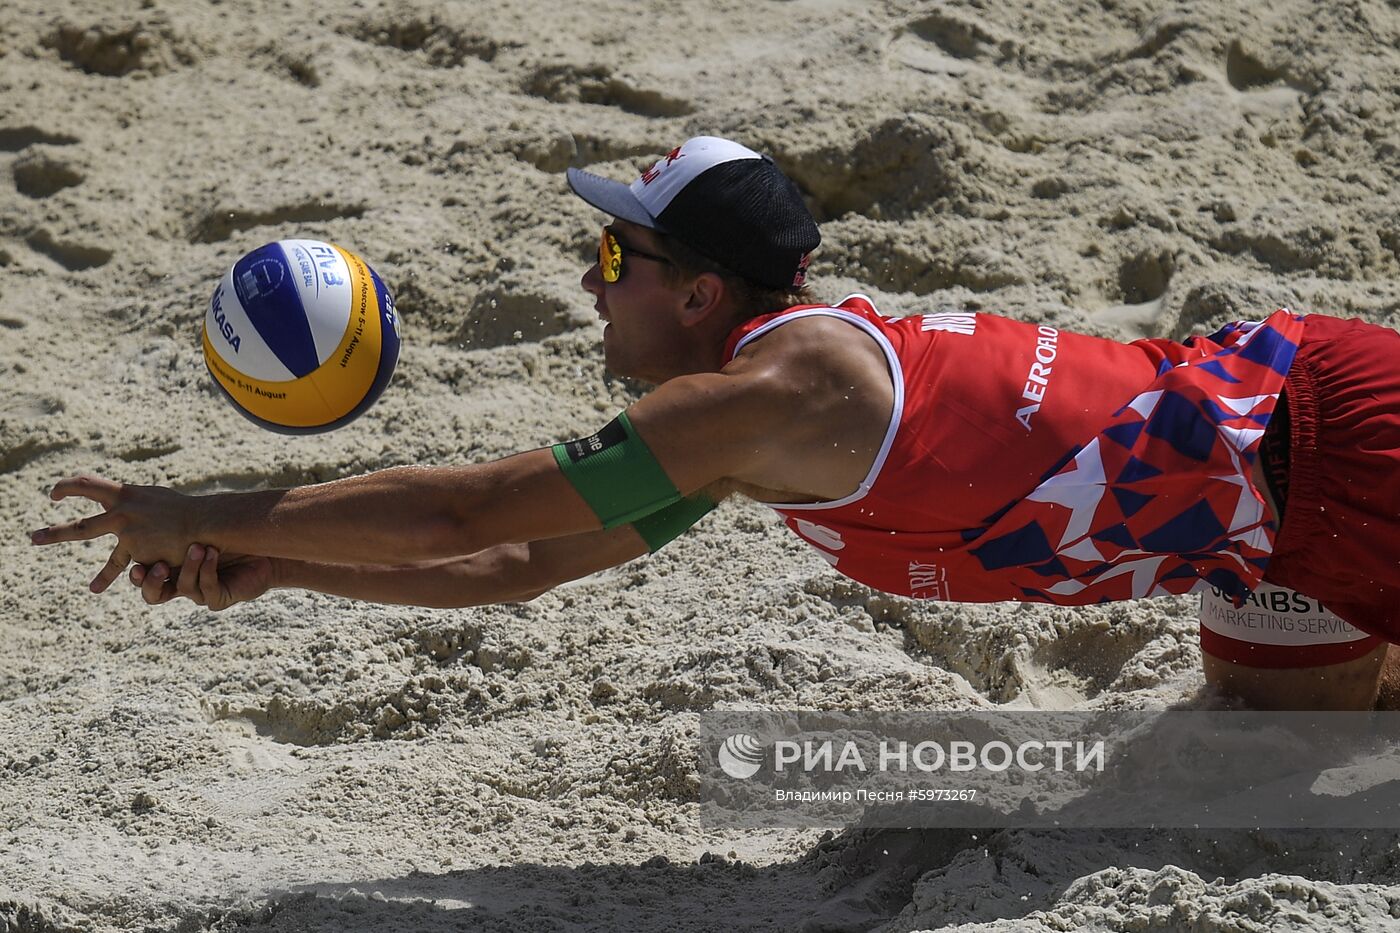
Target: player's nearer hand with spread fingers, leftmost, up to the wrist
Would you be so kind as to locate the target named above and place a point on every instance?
(152, 523)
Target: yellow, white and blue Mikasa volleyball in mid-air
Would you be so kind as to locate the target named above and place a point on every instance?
(302, 337)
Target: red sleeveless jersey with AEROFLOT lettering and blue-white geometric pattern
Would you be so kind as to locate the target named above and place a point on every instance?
(1027, 463)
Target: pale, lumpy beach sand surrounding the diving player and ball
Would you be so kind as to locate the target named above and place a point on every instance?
(304, 763)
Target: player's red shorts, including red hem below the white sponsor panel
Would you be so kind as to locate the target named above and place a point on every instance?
(1340, 536)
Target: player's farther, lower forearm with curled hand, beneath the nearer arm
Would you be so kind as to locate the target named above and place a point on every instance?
(505, 574)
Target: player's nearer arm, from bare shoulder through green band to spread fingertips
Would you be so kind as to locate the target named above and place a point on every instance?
(689, 434)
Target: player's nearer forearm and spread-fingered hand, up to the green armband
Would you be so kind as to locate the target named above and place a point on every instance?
(404, 513)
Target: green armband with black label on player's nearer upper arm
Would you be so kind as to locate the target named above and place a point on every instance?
(617, 474)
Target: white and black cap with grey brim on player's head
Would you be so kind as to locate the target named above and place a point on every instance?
(724, 201)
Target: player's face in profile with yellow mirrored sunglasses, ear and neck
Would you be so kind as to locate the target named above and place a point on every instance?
(638, 306)
